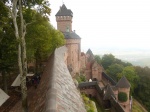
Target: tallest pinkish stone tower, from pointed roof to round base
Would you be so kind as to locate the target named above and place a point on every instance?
(73, 41)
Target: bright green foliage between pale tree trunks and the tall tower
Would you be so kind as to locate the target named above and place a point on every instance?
(41, 37)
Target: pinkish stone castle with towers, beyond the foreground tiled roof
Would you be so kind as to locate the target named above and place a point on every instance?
(105, 89)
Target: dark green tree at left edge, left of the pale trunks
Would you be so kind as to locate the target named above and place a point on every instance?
(7, 45)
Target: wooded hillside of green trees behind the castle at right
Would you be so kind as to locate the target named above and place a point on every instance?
(139, 77)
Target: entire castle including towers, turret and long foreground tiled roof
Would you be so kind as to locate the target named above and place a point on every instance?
(57, 92)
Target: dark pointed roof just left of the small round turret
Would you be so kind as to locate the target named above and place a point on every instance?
(109, 93)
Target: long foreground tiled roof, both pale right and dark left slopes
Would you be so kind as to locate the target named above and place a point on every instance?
(56, 91)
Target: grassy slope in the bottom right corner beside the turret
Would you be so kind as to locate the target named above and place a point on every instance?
(137, 107)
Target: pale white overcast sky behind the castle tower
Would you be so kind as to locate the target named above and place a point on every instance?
(109, 26)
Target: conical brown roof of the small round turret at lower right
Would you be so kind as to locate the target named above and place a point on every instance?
(123, 83)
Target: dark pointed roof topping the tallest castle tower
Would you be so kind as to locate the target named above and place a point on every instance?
(63, 11)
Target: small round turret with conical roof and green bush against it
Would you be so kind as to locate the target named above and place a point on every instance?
(124, 86)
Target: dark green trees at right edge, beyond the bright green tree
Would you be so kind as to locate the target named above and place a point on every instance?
(142, 91)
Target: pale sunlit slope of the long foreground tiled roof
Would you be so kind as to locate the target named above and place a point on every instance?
(62, 95)
